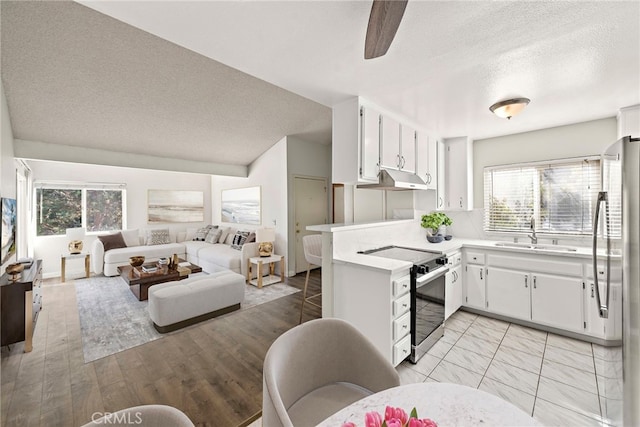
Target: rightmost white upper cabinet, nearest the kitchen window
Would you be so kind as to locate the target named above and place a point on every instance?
(459, 174)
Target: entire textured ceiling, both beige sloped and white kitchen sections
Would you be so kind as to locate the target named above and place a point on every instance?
(78, 77)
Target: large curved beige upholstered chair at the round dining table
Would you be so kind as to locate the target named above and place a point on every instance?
(318, 368)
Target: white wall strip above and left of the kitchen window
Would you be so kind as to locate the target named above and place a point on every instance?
(576, 140)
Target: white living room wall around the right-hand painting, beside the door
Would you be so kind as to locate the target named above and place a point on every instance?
(269, 172)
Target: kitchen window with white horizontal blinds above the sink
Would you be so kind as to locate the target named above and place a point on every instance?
(560, 195)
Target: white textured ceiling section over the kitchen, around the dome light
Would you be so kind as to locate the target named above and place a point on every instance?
(449, 61)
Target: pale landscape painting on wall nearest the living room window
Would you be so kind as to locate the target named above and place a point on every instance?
(175, 206)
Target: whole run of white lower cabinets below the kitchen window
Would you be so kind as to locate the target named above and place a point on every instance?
(551, 291)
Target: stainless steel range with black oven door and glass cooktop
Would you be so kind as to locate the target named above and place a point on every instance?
(427, 294)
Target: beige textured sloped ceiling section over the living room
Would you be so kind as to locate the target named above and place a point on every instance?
(76, 77)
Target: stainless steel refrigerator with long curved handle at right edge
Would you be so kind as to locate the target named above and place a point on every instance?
(617, 221)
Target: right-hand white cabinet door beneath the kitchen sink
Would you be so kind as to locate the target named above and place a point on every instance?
(557, 301)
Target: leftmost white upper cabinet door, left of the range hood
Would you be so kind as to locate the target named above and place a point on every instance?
(370, 143)
